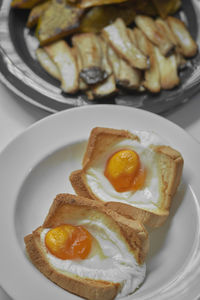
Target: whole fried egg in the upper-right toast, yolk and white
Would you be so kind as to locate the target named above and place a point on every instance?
(127, 171)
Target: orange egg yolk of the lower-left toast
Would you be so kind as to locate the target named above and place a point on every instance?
(69, 242)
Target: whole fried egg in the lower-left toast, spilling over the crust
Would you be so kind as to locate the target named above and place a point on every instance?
(106, 256)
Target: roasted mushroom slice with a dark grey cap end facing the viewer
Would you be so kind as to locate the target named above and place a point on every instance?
(89, 48)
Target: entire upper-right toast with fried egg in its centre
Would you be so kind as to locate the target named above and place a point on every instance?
(133, 174)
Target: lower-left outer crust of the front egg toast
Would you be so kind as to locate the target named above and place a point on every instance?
(86, 288)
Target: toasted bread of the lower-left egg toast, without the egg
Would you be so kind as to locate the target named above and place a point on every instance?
(76, 210)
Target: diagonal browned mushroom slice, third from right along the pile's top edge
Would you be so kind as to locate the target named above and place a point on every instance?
(156, 36)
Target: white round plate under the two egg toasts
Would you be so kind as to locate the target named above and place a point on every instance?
(35, 167)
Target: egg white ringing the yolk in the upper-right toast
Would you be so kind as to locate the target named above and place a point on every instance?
(149, 196)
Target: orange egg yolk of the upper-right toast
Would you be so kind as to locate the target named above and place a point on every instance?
(124, 171)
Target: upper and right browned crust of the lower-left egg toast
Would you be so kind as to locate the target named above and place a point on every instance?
(134, 232)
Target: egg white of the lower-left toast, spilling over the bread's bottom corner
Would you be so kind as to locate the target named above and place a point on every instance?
(117, 265)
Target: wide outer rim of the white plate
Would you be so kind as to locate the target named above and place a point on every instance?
(53, 126)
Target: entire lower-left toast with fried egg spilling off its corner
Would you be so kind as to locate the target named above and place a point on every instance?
(89, 250)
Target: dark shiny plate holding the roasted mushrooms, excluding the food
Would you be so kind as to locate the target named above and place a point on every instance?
(20, 71)
